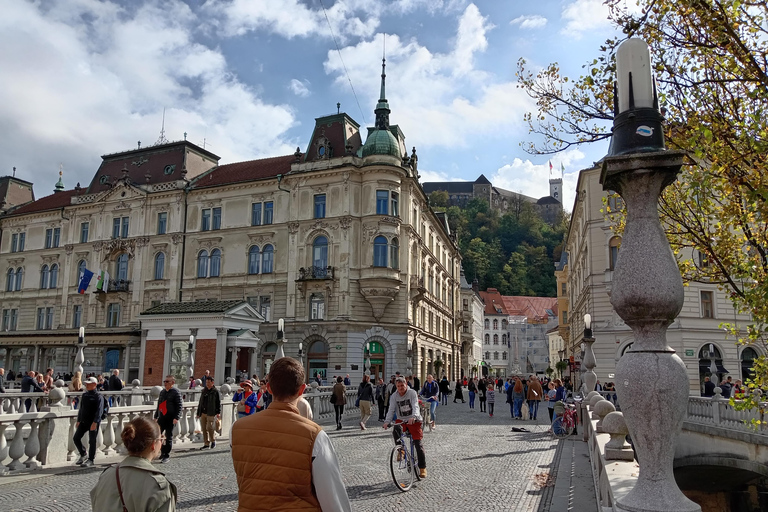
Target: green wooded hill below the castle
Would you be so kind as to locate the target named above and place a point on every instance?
(514, 252)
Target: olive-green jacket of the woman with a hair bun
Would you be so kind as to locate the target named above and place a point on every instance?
(145, 488)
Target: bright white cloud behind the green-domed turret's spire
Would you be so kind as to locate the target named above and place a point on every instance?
(437, 100)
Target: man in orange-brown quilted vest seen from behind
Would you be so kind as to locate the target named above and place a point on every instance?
(284, 461)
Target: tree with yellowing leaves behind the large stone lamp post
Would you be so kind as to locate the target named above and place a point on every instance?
(712, 74)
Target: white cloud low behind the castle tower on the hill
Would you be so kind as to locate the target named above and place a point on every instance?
(533, 179)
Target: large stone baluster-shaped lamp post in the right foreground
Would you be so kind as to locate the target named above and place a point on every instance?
(651, 382)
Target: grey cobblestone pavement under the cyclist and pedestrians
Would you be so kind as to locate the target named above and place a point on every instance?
(474, 463)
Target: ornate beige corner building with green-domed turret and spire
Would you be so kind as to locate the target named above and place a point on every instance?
(337, 239)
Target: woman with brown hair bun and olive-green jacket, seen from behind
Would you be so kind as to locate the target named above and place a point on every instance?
(135, 484)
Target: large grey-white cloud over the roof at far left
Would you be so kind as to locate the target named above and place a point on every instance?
(101, 79)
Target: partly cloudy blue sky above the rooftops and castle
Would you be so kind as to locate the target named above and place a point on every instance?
(247, 78)
